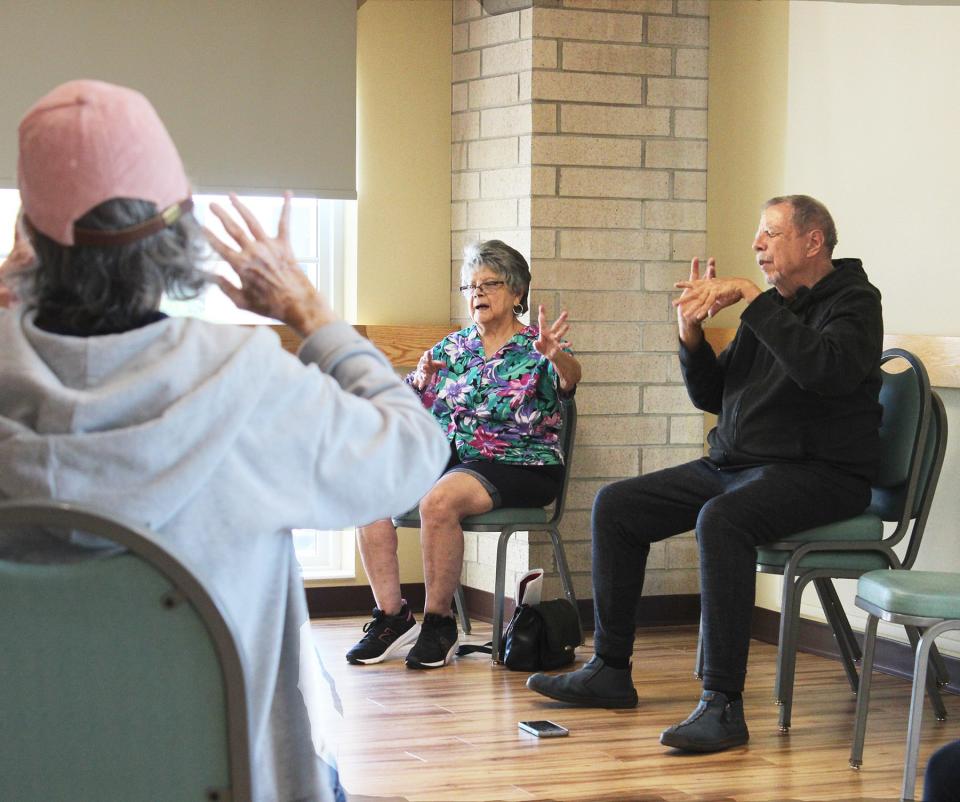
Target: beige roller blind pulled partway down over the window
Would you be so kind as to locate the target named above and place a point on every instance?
(259, 96)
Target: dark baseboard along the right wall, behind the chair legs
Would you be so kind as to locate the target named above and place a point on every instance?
(816, 637)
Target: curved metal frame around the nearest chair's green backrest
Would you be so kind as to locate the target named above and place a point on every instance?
(135, 540)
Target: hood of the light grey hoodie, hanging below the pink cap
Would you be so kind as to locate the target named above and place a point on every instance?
(144, 416)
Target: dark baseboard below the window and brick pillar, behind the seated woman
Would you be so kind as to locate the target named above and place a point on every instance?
(653, 611)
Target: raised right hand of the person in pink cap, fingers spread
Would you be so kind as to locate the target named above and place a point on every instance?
(271, 282)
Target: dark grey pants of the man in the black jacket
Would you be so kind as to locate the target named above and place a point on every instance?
(733, 511)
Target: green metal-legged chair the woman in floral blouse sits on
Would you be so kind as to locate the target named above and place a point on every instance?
(507, 521)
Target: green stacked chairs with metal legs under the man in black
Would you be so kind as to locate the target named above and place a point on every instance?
(913, 435)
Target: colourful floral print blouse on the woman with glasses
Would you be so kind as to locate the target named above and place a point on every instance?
(505, 408)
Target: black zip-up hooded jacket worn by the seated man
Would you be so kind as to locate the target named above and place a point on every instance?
(801, 380)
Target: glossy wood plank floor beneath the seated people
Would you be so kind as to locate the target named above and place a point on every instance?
(451, 734)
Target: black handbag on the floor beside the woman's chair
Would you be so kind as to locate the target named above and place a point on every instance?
(541, 637)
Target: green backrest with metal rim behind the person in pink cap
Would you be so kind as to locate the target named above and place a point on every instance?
(120, 678)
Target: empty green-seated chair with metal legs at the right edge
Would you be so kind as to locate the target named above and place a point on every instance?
(926, 600)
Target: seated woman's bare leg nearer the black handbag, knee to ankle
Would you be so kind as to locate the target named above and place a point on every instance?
(455, 496)
